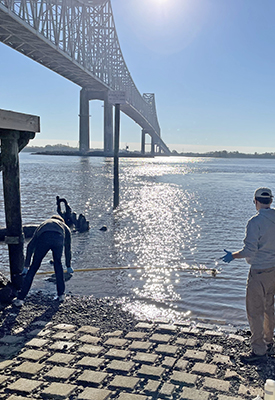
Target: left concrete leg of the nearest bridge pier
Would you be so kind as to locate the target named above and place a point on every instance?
(84, 139)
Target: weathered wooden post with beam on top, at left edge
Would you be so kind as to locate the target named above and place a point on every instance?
(16, 130)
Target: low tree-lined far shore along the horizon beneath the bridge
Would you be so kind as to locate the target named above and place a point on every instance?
(62, 150)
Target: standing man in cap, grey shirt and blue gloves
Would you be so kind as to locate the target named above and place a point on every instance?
(259, 251)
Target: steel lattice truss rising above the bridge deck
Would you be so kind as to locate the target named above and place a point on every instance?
(85, 31)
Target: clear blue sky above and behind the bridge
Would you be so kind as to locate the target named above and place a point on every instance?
(210, 63)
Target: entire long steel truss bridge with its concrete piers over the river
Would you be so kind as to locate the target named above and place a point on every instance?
(78, 40)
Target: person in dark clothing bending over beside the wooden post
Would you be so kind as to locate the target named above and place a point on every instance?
(53, 234)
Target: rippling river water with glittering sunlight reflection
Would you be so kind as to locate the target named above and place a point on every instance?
(176, 216)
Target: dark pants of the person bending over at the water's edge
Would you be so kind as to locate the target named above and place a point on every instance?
(47, 241)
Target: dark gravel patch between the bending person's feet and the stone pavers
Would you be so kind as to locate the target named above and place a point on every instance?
(103, 313)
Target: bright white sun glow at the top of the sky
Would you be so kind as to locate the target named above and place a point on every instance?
(165, 26)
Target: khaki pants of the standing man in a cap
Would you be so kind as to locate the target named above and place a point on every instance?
(260, 291)
